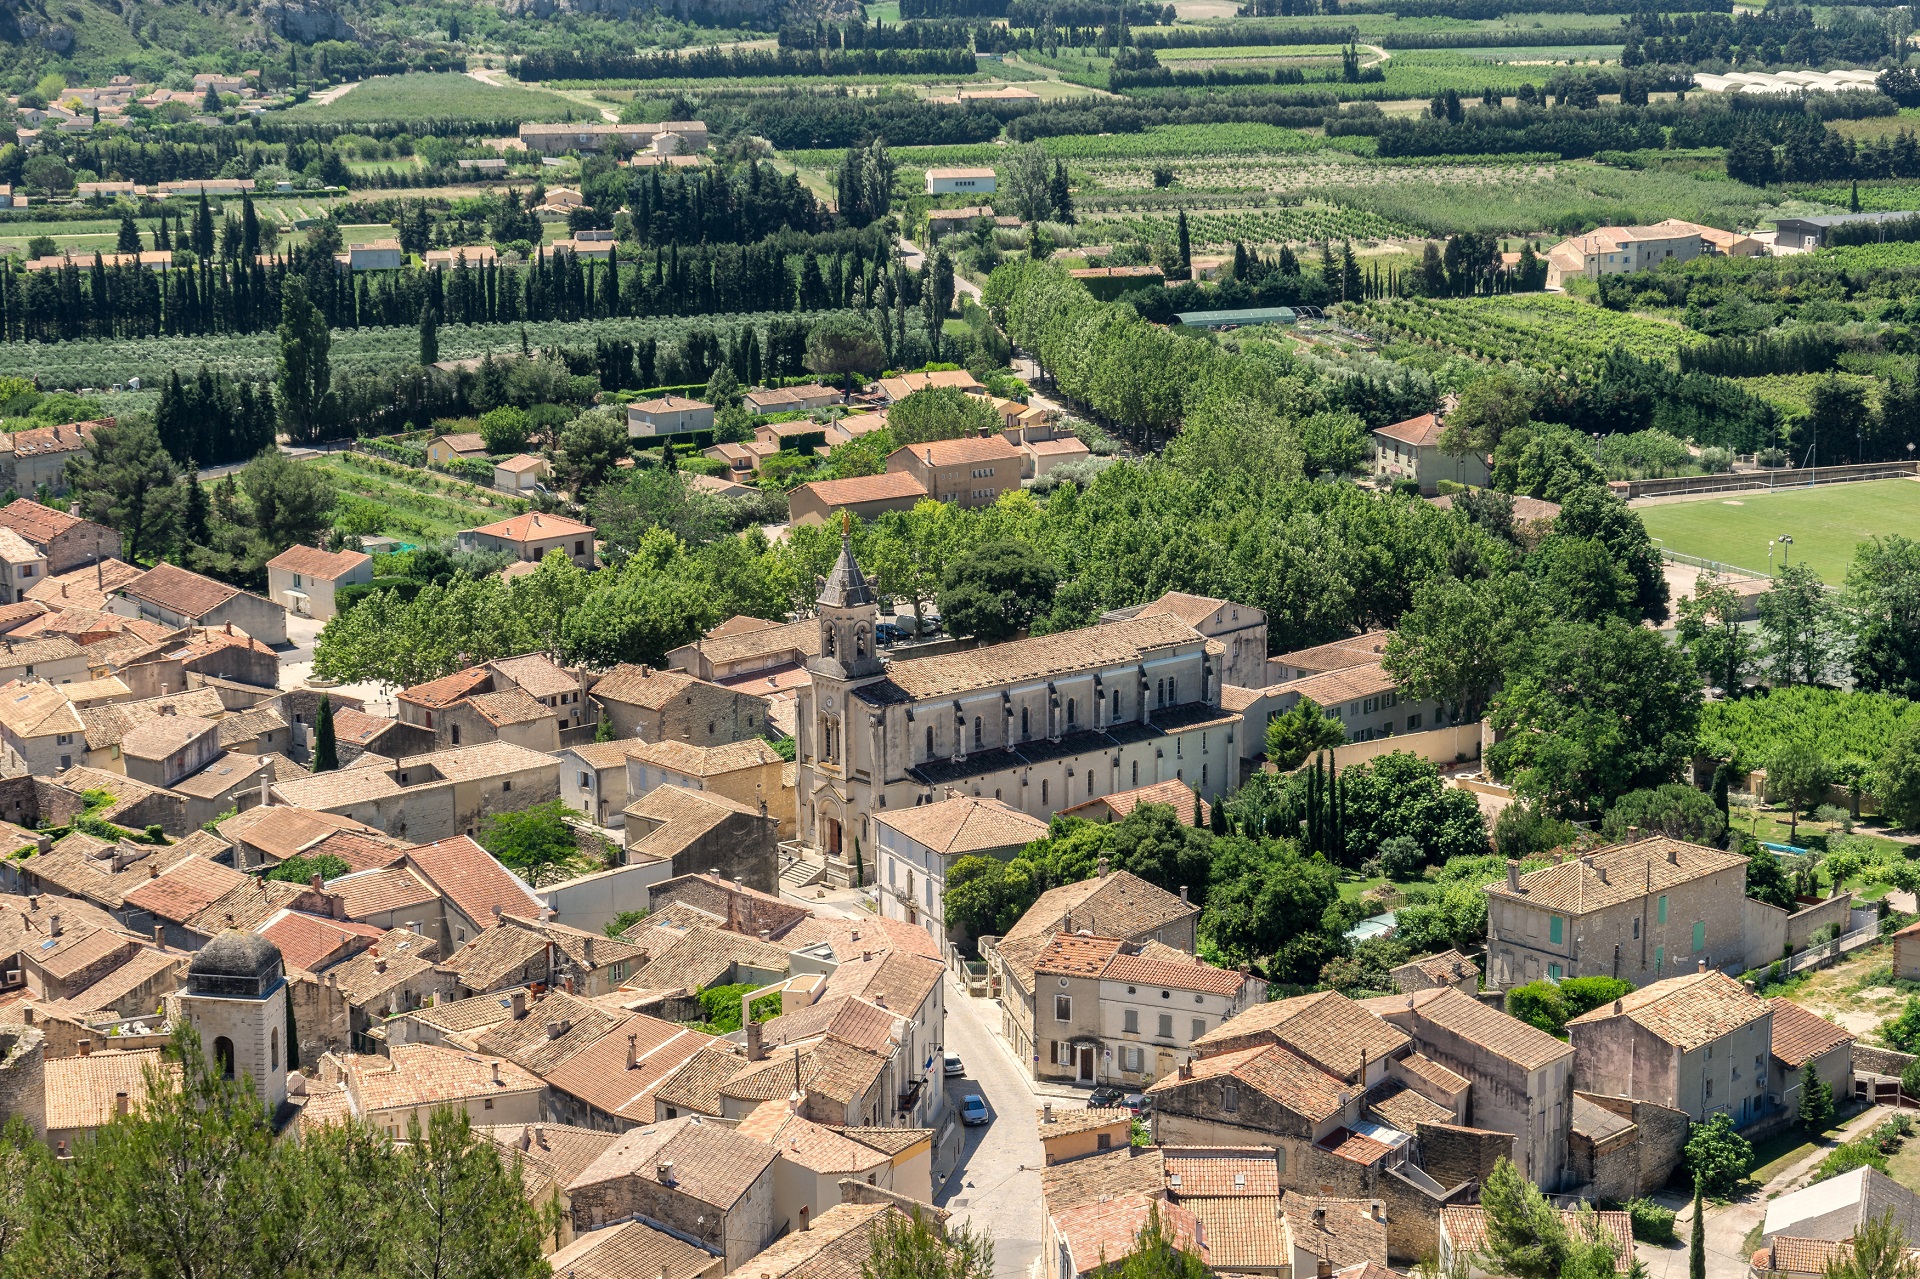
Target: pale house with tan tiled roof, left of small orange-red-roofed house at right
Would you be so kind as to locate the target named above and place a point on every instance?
(1700, 1044)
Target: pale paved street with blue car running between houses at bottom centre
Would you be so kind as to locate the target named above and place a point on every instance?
(997, 1184)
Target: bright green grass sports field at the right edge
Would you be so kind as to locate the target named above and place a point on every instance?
(1825, 523)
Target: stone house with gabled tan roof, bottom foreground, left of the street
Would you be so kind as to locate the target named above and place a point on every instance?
(694, 1176)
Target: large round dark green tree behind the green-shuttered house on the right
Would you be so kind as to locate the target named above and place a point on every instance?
(1598, 712)
